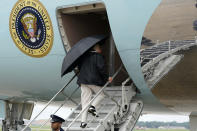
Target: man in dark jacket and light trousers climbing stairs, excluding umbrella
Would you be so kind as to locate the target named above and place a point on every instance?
(91, 78)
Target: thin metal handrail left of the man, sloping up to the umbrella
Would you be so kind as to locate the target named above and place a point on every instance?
(61, 90)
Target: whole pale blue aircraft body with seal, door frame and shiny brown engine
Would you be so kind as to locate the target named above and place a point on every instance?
(36, 34)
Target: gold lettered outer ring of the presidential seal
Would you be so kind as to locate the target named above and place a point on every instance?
(50, 24)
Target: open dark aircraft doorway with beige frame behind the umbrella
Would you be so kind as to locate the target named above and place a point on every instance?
(76, 23)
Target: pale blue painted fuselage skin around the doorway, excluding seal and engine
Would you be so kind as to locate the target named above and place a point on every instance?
(26, 77)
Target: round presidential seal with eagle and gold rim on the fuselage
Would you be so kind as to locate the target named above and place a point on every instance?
(31, 28)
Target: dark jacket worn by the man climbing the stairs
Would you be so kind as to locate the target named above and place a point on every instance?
(92, 70)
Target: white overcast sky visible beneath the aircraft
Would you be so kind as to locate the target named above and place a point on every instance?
(64, 112)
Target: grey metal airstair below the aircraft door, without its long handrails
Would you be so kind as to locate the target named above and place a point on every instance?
(118, 111)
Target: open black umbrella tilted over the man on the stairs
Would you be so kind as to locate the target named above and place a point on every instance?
(72, 57)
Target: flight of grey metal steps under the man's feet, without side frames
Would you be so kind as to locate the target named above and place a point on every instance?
(105, 111)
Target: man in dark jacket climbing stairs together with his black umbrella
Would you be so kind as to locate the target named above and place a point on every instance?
(86, 54)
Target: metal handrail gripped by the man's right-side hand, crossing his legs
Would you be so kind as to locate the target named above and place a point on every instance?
(107, 83)
